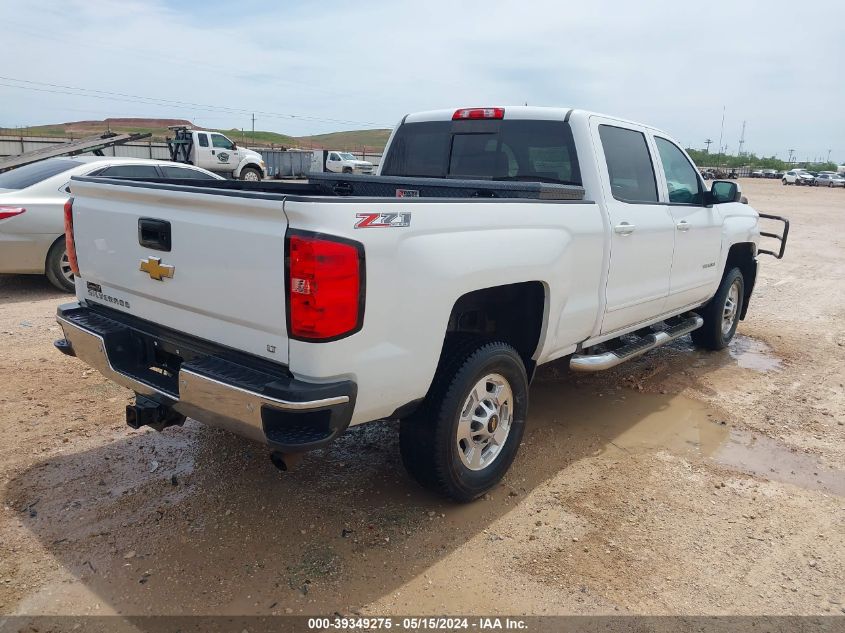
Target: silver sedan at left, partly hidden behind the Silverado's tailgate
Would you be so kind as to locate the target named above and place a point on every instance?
(32, 199)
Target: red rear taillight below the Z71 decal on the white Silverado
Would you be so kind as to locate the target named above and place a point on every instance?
(325, 287)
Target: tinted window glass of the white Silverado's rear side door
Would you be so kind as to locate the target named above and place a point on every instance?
(629, 165)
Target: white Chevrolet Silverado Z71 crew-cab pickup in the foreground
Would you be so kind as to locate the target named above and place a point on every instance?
(493, 240)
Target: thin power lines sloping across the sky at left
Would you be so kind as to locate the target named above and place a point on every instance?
(119, 96)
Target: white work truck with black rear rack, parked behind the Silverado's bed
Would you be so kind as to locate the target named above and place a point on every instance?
(215, 152)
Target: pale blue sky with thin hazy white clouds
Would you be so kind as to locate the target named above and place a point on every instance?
(308, 68)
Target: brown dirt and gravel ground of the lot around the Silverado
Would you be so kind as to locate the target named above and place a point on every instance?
(682, 483)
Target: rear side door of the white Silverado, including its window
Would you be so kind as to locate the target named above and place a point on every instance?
(641, 228)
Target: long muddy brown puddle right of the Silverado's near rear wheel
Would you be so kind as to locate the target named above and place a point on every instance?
(635, 422)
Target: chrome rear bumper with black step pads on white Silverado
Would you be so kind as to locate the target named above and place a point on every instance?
(286, 413)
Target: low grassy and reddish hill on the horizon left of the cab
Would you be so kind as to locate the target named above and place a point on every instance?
(370, 140)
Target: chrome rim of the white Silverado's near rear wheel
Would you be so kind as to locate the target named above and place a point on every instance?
(485, 422)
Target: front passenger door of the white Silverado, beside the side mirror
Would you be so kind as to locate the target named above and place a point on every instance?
(698, 229)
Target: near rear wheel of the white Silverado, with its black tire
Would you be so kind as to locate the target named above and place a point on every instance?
(428, 439)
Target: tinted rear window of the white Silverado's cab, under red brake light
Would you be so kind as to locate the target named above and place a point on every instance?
(540, 151)
